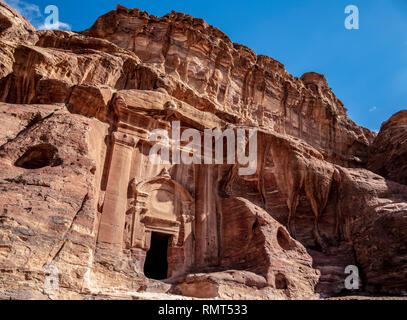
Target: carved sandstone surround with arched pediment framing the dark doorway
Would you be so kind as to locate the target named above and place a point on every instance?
(162, 206)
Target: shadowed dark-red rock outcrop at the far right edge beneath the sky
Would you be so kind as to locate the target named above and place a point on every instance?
(388, 153)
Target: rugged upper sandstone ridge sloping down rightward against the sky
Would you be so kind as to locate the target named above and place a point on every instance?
(208, 71)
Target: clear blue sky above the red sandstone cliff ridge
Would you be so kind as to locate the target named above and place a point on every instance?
(367, 68)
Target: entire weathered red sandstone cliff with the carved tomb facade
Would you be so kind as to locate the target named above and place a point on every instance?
(81, 204)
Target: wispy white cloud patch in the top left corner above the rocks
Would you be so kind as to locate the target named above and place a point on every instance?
(33, 13)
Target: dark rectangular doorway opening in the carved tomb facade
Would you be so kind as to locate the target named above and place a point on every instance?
(156, 265)
